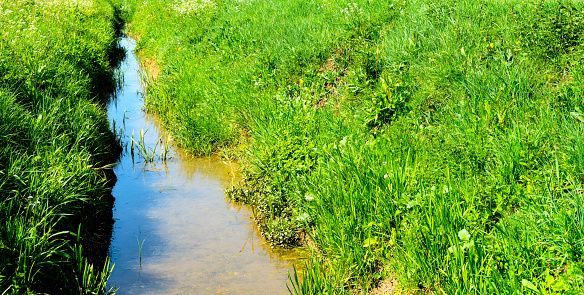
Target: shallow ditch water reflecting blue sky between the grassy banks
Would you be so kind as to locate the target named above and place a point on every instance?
(174, 231)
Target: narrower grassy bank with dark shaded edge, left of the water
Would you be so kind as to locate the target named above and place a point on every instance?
(56, 62)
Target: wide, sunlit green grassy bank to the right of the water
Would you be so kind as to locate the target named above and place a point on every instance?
(438, 142)
